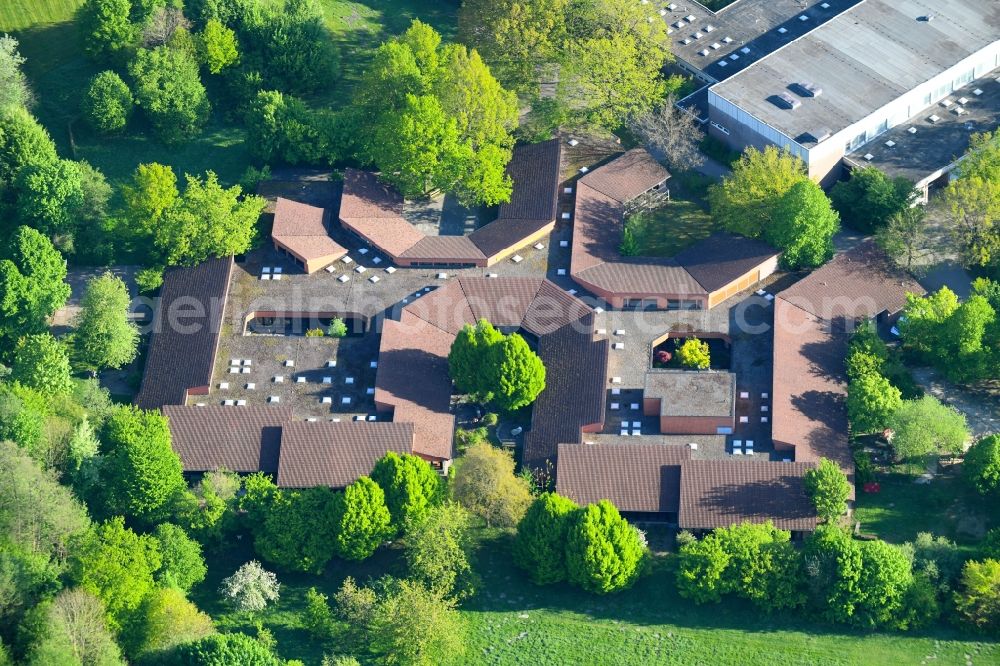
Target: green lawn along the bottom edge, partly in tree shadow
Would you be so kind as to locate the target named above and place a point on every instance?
(514, 622)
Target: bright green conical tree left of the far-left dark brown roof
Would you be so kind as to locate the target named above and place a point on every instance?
(104, 336)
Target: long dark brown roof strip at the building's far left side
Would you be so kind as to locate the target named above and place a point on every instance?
(182, 353)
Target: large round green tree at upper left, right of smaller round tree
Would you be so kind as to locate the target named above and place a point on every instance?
(169, 91)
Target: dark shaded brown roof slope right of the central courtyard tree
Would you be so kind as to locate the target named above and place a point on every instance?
(576, 368)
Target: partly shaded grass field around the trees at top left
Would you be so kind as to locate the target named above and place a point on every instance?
(59, 72)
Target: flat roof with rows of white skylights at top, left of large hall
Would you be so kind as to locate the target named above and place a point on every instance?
(748, 24)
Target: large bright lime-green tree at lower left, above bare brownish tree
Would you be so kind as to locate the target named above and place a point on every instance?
(117, 565)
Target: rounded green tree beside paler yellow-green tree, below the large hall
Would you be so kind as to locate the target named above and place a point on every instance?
(802, 226)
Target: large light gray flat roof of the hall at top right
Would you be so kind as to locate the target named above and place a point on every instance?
(862, 60)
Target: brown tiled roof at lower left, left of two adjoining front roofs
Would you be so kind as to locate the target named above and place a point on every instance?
(240, 439)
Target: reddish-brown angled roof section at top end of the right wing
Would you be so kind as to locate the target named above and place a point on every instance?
(858, 283)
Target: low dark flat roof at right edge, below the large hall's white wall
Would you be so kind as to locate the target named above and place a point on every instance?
(935, 145)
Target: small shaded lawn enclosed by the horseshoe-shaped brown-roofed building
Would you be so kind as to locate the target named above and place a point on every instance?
(666, 230)
